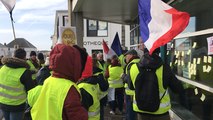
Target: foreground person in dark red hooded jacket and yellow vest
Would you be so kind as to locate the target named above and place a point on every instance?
(59, 98)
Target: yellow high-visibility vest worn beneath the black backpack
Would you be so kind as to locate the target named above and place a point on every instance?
(165, 104)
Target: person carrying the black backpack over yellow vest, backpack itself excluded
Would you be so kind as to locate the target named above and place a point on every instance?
(166, 79)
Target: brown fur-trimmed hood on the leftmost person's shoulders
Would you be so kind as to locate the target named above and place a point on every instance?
(14, 62)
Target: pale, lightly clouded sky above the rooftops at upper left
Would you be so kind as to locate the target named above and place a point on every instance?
(34, 21)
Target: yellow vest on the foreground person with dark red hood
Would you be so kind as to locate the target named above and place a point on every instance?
(50, 102)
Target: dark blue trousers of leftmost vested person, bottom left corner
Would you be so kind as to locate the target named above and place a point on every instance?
(13, 115)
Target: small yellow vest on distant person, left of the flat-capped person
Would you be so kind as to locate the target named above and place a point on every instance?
(114, 77)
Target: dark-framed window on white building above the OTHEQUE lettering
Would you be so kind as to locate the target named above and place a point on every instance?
(97, 28)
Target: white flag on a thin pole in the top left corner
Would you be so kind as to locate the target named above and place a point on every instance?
(10, 4)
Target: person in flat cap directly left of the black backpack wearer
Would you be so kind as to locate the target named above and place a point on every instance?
(131, 57)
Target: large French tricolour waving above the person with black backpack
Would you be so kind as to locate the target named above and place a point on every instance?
(159, 23)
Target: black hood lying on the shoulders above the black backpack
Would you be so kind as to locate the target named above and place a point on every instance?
(151, 61)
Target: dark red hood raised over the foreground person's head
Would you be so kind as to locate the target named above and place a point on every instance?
(65, 62)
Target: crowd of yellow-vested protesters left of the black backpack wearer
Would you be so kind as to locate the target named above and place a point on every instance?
(67, 84)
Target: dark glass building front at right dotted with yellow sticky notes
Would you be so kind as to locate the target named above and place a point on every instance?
(189, 58)
